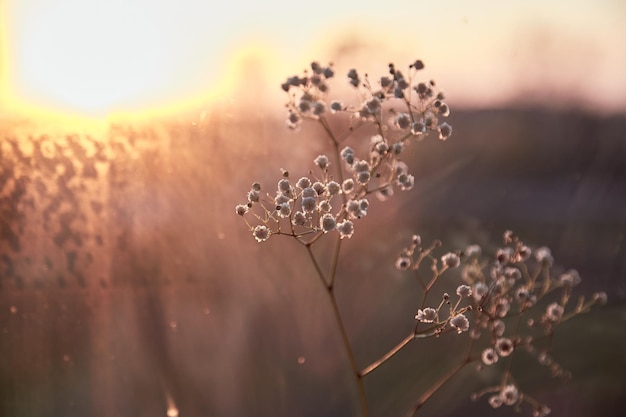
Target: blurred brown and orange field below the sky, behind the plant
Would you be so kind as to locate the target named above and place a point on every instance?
(128, 284)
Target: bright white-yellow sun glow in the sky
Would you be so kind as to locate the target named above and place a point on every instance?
(92, 59)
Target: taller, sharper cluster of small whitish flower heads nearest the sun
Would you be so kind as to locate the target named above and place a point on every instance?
(314, 206)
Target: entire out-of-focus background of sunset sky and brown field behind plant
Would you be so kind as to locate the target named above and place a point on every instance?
(130, 130)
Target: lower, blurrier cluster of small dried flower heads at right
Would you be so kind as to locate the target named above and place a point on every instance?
(511, 284)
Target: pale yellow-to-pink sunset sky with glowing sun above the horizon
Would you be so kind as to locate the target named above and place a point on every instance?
(94, 58)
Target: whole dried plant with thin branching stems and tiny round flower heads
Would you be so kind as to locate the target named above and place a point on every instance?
(502, 304)
